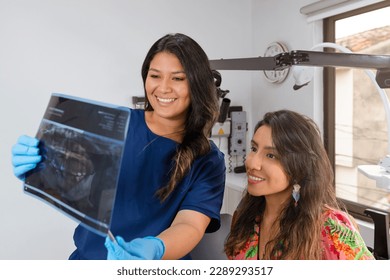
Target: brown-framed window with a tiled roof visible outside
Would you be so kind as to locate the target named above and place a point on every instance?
(355, 120)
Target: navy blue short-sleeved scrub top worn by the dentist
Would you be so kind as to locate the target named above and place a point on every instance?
(145, 168)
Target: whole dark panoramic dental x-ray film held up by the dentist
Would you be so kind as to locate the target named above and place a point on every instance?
(81, 143)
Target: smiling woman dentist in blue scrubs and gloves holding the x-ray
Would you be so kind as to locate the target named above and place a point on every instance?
(172, 176)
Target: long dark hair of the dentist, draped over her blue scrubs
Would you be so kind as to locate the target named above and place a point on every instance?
(203, 111)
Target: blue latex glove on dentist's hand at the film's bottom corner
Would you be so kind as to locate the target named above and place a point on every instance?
(147, 248)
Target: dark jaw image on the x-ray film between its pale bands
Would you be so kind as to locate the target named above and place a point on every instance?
(77, 170)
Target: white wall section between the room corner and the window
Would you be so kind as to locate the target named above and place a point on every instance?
(284, 24)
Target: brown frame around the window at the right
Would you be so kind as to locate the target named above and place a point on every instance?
(329, 105)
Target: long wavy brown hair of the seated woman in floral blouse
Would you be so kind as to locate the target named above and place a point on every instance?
(298, 142)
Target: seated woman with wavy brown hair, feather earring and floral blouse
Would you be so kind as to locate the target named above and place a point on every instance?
(289, 210)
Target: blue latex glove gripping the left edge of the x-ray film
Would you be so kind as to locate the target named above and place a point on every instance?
(25, 155)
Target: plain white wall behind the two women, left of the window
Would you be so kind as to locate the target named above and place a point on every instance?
(94, 49)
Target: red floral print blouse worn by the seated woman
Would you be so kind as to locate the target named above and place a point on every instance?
(341, 240)
